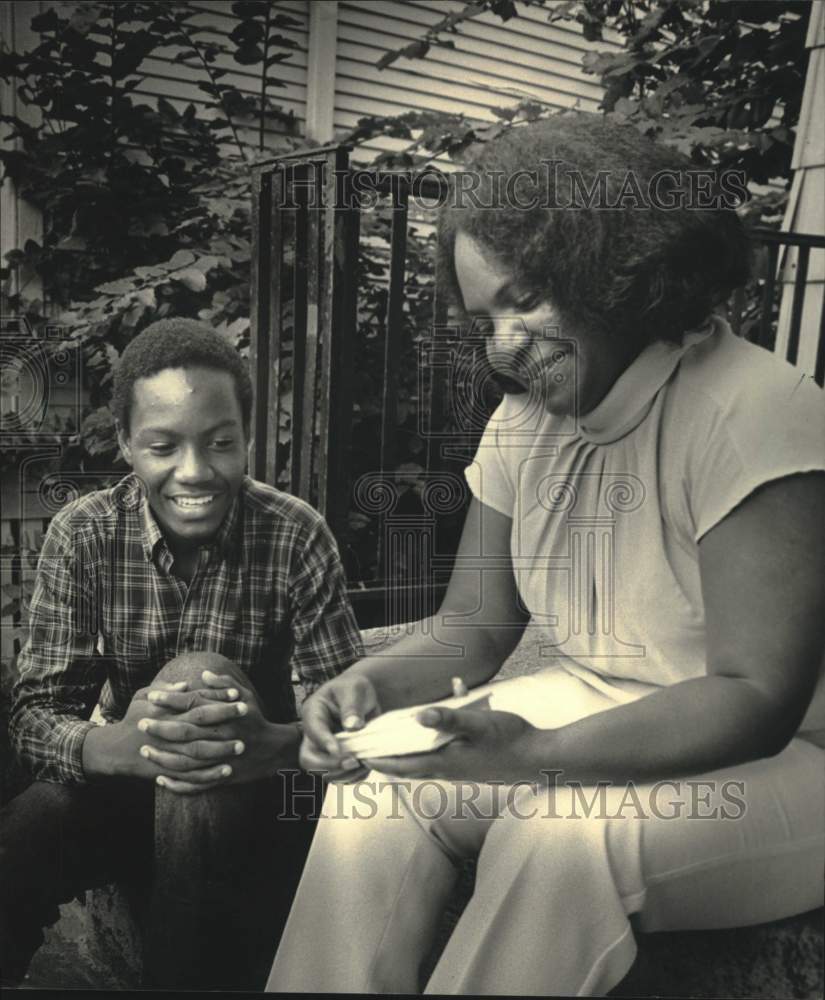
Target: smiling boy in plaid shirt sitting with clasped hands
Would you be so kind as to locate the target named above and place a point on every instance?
(185, 564)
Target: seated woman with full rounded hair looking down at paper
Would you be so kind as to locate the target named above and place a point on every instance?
(647, 503)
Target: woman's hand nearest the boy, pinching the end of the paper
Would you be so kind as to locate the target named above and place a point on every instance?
(346, 702)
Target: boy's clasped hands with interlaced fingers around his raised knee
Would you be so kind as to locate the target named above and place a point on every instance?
(191, 739)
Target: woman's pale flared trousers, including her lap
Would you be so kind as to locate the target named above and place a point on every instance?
(556, 865)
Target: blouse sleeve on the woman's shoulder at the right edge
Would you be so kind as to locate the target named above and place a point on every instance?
(772, 428)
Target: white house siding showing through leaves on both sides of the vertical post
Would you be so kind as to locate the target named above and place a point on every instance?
(494, 64)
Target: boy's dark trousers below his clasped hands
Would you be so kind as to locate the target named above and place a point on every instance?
(212, 912)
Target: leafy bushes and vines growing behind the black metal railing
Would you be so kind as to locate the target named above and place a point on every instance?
(146, 207)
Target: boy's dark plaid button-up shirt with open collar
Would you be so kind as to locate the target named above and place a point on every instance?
(107, 613)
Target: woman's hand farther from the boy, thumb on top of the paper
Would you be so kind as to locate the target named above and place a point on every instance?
(489, 746)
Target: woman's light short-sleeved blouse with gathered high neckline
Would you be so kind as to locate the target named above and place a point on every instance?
(608, 511)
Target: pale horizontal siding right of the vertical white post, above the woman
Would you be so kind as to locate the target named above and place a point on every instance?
(494, 64)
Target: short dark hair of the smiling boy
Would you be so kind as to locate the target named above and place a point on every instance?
(177, 343)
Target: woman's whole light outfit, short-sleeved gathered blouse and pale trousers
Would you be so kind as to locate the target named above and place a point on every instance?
(607, 515)
